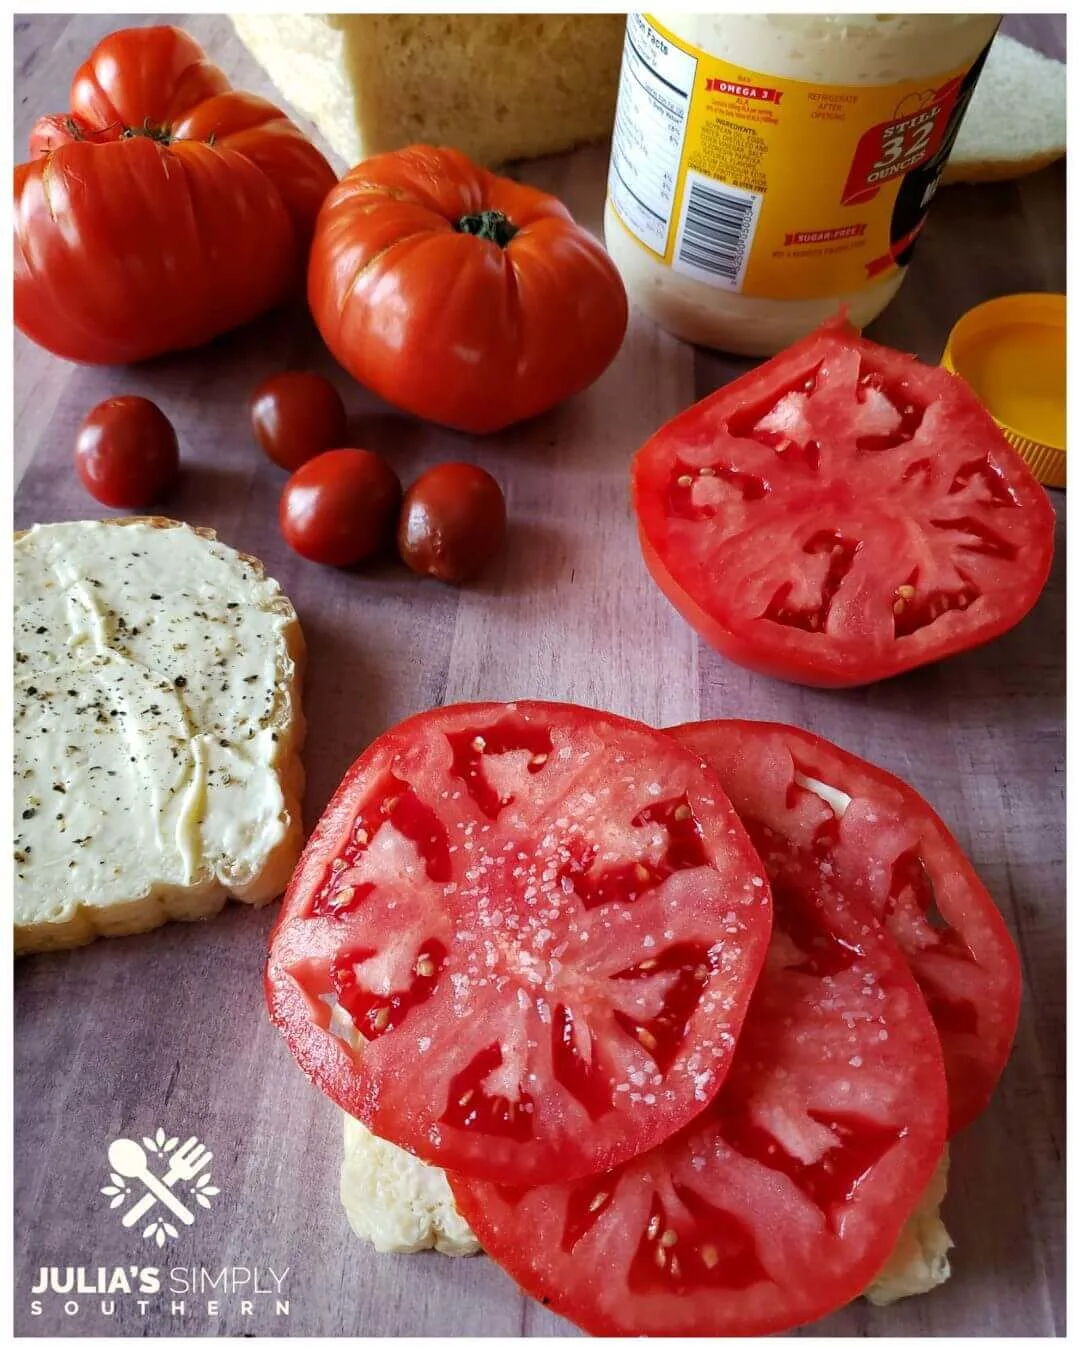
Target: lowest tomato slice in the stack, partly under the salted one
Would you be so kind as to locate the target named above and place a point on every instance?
(786, 1198)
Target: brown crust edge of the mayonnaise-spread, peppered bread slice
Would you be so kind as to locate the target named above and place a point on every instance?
(80, 925)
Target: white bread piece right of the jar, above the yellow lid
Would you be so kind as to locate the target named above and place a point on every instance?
(1016, 122)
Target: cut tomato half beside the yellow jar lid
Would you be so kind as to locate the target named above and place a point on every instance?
(843, 514)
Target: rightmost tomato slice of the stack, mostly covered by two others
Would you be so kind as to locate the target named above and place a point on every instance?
(809, 805)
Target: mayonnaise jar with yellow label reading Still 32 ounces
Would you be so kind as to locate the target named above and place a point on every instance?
(770, 170)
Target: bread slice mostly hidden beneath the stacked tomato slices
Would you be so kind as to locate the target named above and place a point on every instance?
(401, 1204)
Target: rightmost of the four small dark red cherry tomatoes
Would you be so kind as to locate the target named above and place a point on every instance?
(453, 521)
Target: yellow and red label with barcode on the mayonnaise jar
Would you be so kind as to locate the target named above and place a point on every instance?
(775, 187)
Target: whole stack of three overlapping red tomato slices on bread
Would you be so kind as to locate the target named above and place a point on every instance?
(687, 1017)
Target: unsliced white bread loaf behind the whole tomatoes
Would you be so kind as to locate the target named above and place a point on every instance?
(497, 87)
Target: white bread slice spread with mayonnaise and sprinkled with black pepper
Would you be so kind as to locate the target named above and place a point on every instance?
(157, 730)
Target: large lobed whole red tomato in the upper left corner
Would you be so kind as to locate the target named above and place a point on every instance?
(164, 210)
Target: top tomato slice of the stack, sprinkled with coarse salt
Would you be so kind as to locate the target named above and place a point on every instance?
(522, 940)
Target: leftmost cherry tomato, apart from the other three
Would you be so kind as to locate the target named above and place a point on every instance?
(126, 453)
